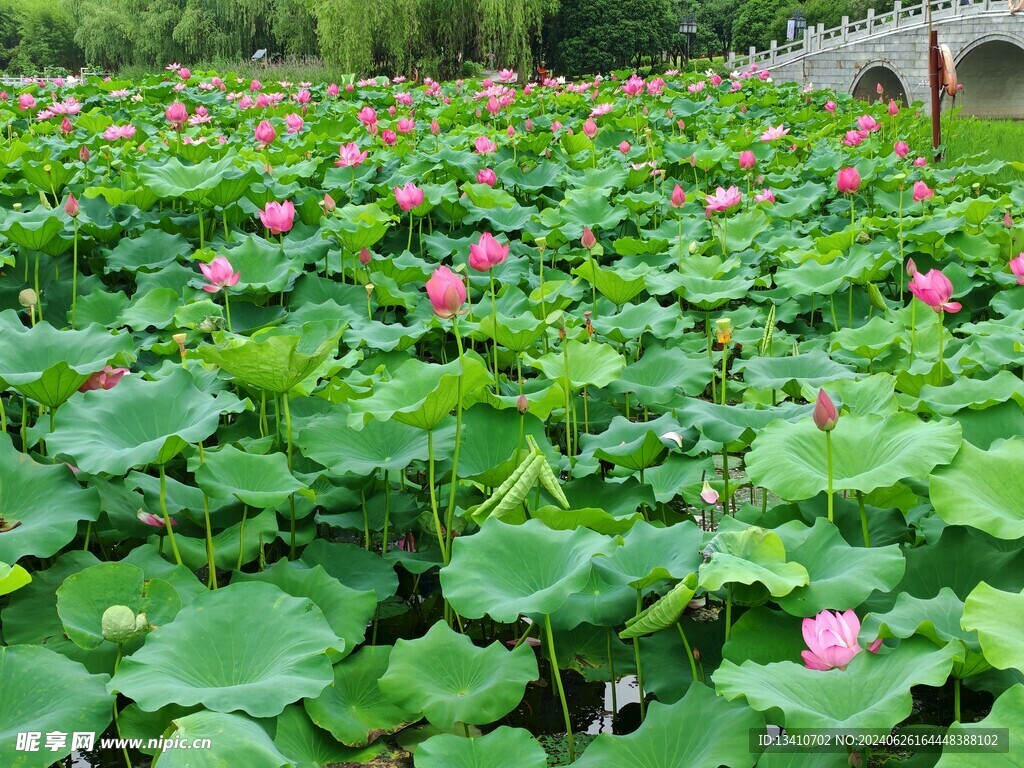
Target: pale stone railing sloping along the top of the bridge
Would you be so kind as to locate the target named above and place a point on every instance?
(820, 39)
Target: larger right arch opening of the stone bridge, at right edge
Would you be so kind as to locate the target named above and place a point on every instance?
(991, 72)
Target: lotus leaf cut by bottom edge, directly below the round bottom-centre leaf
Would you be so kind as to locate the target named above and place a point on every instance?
(502, 748)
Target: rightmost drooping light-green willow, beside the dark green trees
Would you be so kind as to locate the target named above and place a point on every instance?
(509, 29)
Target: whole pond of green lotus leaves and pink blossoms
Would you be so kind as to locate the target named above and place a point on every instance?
(451, 425)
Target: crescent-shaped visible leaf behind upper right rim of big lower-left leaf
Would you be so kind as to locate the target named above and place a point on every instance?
(348, 611)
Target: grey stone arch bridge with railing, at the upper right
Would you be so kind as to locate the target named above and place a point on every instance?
(987, 41)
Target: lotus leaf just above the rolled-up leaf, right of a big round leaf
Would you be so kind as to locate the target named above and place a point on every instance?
(651, 554)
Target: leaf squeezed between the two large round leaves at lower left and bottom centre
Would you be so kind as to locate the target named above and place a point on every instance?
(354, 709)
